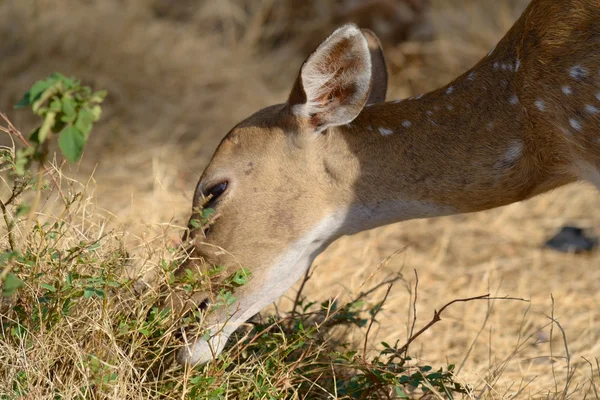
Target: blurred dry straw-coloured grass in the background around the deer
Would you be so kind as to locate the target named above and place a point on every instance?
(177, 84)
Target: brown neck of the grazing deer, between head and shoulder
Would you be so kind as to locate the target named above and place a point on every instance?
(463, 148)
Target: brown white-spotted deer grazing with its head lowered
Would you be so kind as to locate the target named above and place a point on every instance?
(336, 159)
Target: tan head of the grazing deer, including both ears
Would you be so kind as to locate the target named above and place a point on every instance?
(277, 186)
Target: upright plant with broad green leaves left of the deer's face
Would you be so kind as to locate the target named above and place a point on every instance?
(66, 109)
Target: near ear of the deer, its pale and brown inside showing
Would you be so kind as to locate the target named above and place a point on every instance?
(335, 80)
